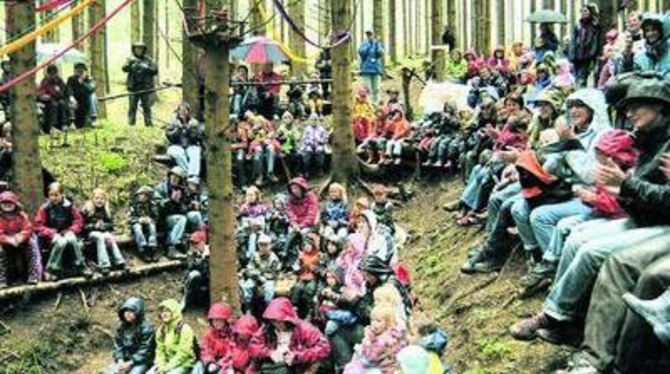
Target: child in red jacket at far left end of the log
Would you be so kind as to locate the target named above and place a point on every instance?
(16, 237)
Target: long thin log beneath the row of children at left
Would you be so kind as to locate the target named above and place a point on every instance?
(82, 281)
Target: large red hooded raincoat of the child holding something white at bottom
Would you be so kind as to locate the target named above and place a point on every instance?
(307, 343)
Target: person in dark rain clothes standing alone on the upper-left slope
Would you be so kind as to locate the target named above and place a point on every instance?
(141, 71)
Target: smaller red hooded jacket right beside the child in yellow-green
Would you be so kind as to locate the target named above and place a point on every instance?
(217, 346)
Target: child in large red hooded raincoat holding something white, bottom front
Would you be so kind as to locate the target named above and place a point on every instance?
(287, 344)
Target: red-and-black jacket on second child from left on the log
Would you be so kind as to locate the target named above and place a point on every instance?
(51, 220)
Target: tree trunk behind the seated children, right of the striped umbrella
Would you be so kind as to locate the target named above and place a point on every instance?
(345, 162)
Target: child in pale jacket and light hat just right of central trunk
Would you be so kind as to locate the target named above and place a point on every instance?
(260, 273)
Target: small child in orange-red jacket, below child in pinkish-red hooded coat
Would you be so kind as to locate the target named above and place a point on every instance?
(304, 291)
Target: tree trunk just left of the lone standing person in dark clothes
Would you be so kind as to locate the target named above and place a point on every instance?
(96, 12)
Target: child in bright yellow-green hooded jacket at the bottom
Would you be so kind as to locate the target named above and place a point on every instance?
(175, 341)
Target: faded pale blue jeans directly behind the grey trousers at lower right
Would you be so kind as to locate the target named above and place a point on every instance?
(579, 268)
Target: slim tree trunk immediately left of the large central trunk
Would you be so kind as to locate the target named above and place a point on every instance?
(189, 72)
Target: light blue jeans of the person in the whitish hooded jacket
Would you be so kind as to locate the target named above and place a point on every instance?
(545, 218)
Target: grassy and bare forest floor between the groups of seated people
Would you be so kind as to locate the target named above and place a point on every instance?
(62, 334)
